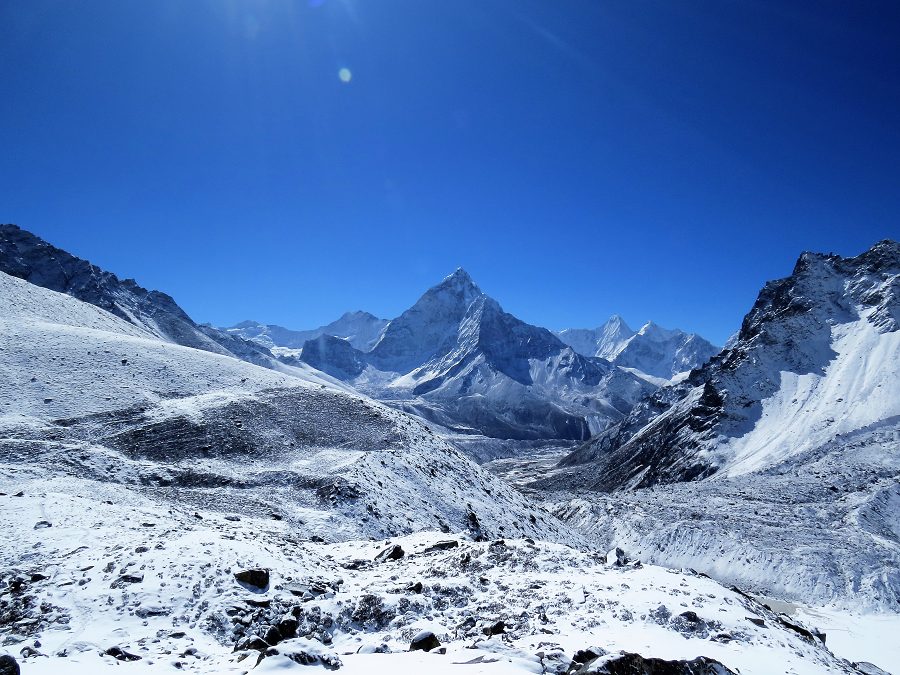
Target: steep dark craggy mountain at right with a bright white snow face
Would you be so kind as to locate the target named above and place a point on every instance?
(817, 358)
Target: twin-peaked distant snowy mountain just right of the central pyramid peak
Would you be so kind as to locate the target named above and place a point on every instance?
(652, 350)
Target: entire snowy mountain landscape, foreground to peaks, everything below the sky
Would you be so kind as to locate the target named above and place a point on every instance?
(149, 466)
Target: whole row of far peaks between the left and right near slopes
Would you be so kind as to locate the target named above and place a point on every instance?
(457, 359)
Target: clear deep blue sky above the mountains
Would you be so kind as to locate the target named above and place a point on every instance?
(660, 160)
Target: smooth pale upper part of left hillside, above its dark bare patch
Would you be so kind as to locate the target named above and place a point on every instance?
(66, 358)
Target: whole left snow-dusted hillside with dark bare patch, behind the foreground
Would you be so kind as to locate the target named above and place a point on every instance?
(86, 394)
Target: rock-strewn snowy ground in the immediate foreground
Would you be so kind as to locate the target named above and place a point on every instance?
(93, 569)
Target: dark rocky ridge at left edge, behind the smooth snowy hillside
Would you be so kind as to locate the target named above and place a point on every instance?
(29, 257)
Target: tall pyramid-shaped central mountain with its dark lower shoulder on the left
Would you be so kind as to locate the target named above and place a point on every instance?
(456, 358)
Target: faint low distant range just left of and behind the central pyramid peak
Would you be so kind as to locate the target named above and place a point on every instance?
(361, 329)
